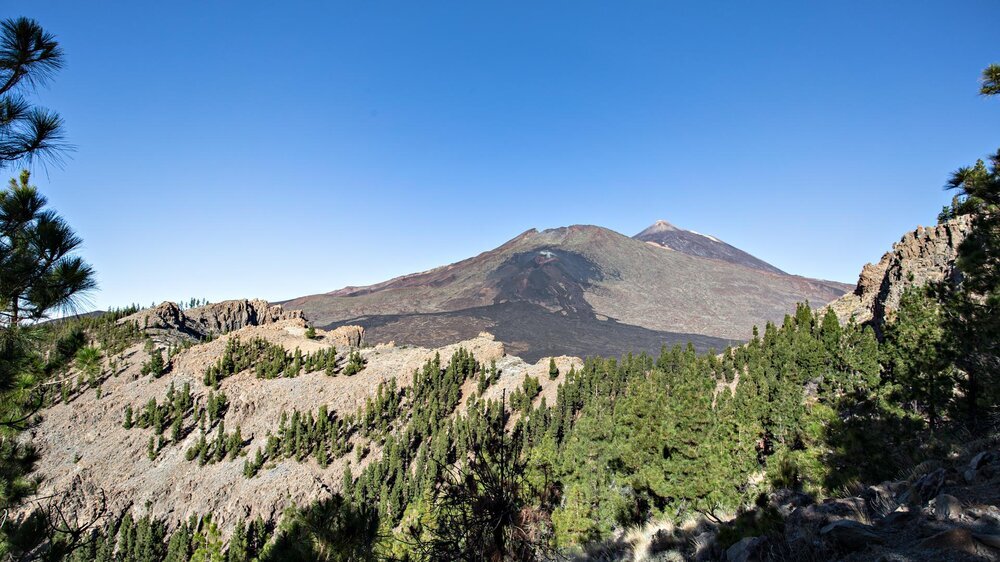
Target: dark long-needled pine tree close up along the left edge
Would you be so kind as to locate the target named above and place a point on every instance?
(39, 271)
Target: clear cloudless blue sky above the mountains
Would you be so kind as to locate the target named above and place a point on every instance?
(252, 149)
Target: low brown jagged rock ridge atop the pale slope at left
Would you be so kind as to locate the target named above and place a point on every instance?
(168, 322)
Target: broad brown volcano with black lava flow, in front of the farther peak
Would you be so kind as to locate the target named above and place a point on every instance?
(578, 289)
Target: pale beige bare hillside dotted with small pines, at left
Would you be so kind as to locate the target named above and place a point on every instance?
(84, 448)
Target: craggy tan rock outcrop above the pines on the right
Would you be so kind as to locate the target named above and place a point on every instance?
(925, 255)
